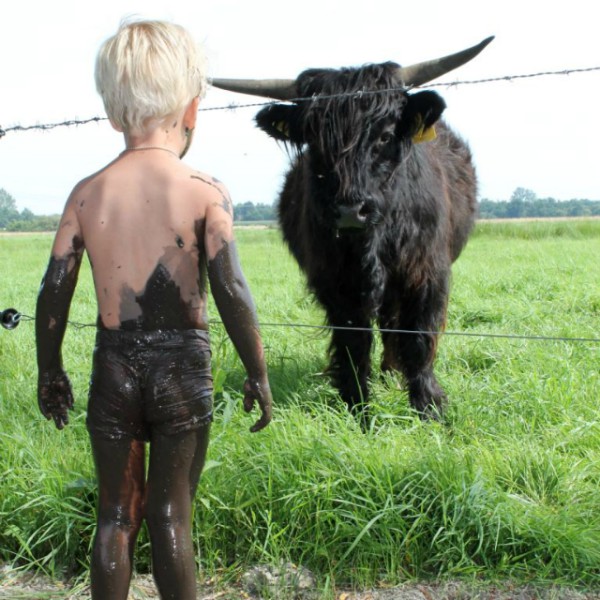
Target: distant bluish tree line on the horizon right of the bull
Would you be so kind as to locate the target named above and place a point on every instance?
(525, 204)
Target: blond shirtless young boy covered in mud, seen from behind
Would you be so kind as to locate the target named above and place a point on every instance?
(154, 231)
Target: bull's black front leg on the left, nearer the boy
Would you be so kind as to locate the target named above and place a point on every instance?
(350, 361)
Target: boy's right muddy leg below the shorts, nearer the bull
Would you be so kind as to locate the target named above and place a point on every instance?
(176, 462)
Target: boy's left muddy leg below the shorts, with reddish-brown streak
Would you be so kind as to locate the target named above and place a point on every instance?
(120, 473)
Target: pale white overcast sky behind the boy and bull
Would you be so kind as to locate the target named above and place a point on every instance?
(540, 133)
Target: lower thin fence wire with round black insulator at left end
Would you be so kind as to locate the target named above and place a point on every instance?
(510, 336)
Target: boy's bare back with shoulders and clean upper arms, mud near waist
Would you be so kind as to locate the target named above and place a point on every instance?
(149, 224)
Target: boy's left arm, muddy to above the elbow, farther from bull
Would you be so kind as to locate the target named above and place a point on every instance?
(55, 396)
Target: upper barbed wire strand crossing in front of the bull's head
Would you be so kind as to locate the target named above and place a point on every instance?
(237, 106)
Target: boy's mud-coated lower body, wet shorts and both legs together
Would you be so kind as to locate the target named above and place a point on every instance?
(148, 386)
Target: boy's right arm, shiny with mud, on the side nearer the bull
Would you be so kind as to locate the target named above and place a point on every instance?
(234, 303)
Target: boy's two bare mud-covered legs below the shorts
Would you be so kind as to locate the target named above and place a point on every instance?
(164, 500)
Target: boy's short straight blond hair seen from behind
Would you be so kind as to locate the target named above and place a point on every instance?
(147, 71)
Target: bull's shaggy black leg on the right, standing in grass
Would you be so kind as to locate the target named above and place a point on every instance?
(414, 353)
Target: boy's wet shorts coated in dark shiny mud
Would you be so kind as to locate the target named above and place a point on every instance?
(146, 382)
